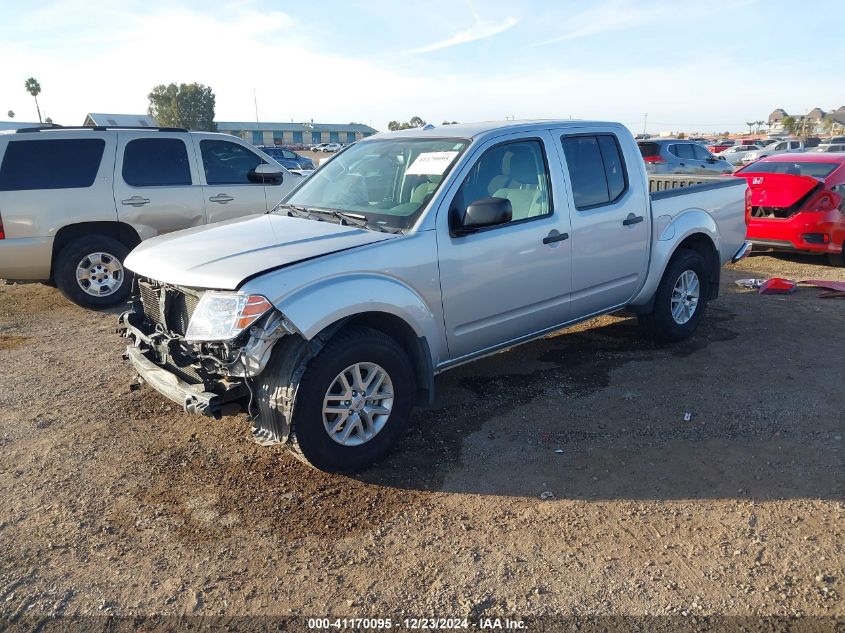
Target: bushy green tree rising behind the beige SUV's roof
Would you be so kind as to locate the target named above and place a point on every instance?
(190, 106)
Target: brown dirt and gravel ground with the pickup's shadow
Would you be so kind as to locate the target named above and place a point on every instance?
(557, 479)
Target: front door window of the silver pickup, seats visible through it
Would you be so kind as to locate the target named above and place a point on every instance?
(516, 171)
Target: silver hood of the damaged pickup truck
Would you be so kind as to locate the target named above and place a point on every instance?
(221, 256)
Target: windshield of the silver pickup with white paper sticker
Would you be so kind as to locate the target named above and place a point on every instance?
(387, 182)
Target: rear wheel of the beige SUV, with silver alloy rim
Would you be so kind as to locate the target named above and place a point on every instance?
(89, 271)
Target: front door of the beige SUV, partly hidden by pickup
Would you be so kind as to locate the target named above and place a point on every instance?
(231, 189)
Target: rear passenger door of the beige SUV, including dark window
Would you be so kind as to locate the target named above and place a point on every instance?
(156, 182)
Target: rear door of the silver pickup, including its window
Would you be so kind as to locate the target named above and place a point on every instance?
(611, 221)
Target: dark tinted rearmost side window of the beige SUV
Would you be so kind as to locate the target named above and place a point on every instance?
(51, 164)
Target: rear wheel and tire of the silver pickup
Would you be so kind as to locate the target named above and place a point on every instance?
(680, 300)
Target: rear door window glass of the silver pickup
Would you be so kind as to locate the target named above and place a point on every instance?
(596, 169)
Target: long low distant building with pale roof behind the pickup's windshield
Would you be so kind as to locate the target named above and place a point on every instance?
(294, 133)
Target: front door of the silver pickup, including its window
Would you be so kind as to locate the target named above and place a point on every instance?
(512, 280)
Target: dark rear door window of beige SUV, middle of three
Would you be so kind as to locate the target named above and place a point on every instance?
(156, 162)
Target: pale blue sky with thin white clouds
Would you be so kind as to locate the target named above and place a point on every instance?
(708, 65)
